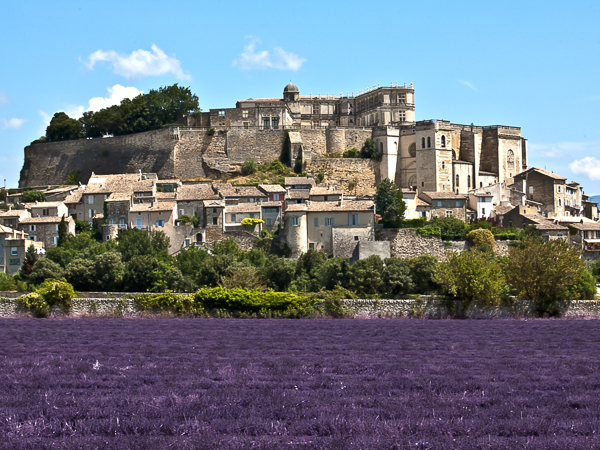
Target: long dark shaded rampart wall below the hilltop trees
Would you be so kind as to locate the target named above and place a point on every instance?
(50, 163)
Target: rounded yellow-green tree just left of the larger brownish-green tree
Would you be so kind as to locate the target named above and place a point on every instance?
(472, 276)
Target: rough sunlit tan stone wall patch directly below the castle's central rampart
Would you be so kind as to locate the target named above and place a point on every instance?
(362, 175)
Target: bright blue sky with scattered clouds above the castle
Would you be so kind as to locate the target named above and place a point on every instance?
(530, 64)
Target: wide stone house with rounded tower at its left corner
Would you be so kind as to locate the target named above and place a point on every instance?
(311, 225)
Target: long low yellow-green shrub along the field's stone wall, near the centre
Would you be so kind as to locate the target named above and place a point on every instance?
(248, 300)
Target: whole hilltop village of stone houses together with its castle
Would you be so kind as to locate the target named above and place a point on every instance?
(443, 170)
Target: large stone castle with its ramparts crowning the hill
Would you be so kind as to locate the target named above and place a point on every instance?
(431, 155)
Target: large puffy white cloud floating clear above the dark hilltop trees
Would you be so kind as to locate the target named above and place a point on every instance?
(139, 63)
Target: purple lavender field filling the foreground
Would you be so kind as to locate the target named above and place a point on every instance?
(302, 384)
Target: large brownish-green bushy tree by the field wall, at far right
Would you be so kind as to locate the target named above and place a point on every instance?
(544, 272)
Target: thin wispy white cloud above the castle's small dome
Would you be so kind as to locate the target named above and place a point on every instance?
(250, 58)
